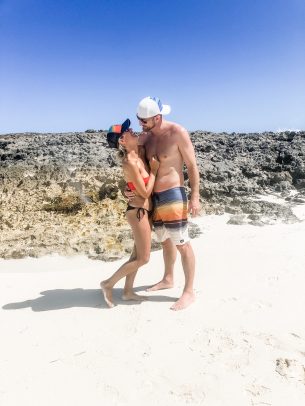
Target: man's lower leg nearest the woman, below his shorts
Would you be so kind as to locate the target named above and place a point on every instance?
(169, 257)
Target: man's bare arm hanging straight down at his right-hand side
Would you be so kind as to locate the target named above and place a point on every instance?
(187, 151)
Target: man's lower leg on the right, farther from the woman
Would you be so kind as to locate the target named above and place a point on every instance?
(188, 264)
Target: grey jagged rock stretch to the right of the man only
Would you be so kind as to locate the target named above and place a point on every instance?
(236, 167)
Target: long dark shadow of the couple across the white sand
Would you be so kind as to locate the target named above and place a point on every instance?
(58, 299)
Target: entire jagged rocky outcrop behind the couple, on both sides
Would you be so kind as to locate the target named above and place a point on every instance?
(63, 192)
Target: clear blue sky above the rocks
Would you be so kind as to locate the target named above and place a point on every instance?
(223, 65)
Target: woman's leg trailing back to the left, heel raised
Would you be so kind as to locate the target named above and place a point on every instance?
(142, 238)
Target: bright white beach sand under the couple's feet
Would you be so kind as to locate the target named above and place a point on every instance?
(241, 343)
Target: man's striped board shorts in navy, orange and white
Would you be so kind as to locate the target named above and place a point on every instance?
(170, 215)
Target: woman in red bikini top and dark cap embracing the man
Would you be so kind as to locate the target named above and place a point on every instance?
(138, 179)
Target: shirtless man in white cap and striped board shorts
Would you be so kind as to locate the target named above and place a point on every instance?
(171, 143)
